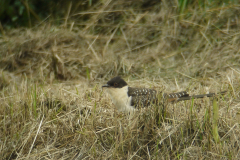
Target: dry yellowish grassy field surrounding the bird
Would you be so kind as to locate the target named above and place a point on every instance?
(53, 106)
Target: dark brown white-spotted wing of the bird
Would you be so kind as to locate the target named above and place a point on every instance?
(142, 97)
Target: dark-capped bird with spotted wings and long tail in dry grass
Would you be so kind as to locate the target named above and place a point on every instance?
(127, 98)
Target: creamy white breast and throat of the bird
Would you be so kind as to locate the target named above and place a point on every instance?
(120, 98)
